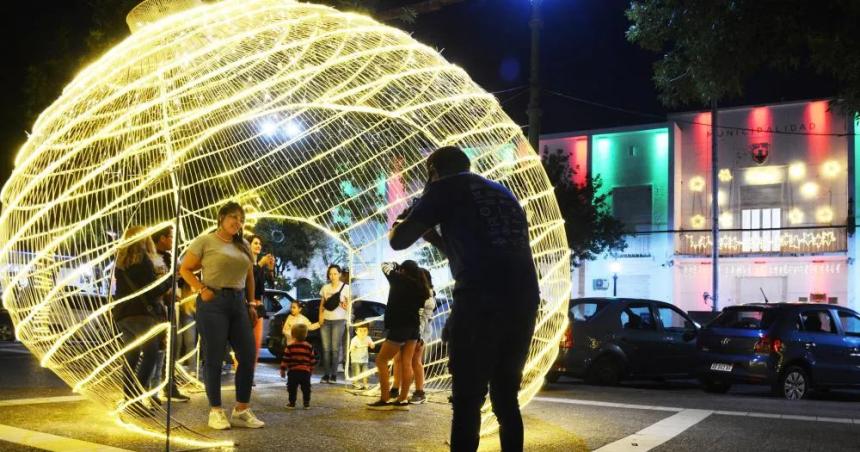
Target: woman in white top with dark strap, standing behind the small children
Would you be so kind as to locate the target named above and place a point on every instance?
(334, 297)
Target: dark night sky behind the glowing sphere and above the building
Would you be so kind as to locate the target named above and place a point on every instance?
(584, 54)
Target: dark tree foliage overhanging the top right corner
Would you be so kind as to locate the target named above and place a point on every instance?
(711, 48)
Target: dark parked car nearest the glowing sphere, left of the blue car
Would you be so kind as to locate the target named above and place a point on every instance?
(613, 339)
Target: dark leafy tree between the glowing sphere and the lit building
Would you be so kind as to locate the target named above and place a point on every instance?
(589, 225)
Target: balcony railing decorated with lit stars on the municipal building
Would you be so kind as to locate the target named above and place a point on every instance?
(784, 241)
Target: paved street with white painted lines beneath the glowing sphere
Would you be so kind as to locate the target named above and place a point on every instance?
(568, 416)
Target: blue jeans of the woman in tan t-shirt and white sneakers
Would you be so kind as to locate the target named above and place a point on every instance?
(221, 320)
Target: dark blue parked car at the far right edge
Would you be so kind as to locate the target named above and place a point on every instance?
(794, 347)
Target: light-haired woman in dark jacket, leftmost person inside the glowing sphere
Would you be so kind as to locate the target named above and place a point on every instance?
(139, 311)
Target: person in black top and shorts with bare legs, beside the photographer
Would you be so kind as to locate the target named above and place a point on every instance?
(409, 289)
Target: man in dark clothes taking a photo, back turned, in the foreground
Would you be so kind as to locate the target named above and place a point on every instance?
(484, 234)
